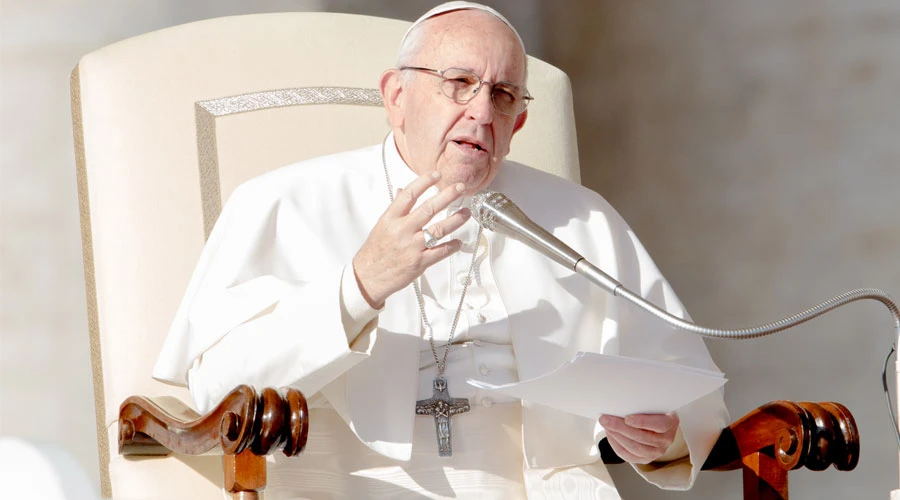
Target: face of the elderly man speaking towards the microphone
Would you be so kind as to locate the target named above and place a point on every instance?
(465, 142)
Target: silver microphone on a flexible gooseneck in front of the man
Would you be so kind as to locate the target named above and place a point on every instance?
(495, 212)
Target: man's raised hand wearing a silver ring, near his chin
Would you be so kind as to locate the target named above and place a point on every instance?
(394, 254)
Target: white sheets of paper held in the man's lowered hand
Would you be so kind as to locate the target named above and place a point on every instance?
(594, 384)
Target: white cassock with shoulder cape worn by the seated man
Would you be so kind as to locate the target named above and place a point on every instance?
(273, 293)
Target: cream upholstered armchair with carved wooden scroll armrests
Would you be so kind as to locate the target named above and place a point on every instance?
(166, 125)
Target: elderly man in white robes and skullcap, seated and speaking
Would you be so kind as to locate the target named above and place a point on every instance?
(359, 279)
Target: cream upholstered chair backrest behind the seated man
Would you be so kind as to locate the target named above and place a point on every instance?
(168, 123)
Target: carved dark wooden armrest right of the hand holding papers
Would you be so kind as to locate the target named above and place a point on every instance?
(776, 438)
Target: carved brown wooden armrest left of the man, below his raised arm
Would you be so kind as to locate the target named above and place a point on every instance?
(246, 426)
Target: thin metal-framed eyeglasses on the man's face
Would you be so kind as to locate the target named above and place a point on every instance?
(462, 86)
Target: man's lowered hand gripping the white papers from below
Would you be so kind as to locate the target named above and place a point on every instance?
(640, 438)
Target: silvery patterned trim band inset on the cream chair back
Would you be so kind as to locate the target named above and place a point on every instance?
(207, 111)
